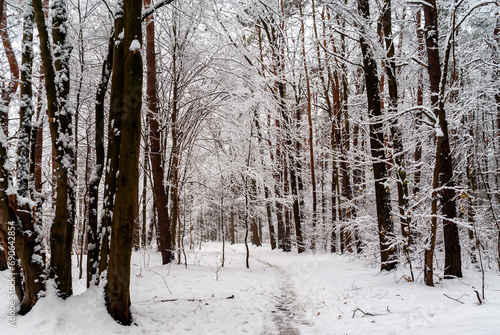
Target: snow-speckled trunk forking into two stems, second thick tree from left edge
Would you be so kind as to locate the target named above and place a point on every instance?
(56, 66)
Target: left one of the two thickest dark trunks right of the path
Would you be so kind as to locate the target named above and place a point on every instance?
(382, 192)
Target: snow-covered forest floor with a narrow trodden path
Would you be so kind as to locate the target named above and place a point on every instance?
(281, 293)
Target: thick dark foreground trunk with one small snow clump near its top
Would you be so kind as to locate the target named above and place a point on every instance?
(126, 207)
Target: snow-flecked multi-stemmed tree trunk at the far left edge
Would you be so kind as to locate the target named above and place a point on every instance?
(19, 230)
